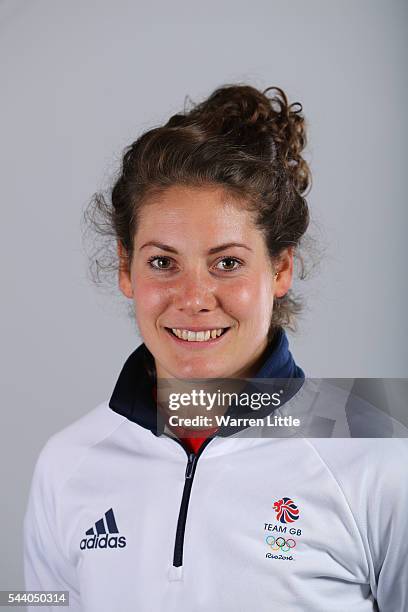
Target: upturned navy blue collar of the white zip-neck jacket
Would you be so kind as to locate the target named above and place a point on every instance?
(133, 397)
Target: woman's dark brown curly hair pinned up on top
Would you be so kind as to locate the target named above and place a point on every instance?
(248, 141)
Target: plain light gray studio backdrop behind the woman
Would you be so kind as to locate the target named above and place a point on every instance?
(80, 80)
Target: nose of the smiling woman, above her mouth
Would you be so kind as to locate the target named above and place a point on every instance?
(195, 292)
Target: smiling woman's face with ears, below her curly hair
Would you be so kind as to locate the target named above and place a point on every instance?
(200, 266)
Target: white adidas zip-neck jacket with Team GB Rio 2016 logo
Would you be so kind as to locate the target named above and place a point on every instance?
(250, 523)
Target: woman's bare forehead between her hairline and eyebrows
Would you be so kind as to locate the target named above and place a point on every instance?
(202, 213)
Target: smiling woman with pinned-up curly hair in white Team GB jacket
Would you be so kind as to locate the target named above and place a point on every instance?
(131, 511)
